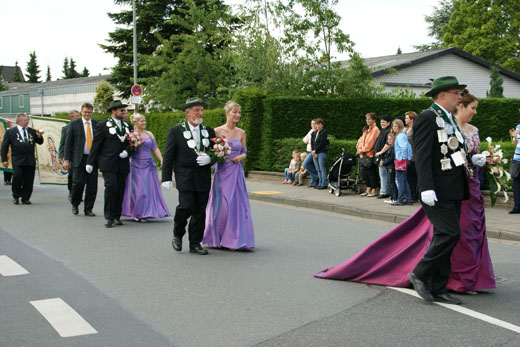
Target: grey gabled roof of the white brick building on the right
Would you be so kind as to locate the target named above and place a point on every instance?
(381, 65)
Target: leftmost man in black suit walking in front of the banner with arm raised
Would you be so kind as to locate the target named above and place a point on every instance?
(22, 140)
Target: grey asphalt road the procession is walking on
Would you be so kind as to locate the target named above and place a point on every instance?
(134, 290)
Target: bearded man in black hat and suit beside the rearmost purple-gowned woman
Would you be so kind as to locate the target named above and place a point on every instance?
(108, 152)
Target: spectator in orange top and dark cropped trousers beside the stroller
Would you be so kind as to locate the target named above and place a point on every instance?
(365, 149)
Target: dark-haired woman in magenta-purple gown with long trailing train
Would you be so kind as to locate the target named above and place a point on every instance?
(389, 259)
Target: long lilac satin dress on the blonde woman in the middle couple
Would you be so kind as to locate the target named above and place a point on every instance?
(228, 214)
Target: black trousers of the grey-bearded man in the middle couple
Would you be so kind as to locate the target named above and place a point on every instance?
(191, 204)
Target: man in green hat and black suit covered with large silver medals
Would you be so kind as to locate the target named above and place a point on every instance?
(440, 160)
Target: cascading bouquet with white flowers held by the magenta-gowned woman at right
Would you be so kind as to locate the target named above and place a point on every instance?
(499, 176)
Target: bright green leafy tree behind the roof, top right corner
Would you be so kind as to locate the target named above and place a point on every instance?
(487, 29)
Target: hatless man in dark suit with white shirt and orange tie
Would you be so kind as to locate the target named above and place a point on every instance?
(79, 140)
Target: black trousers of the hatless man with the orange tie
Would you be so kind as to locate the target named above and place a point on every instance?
(80, 179)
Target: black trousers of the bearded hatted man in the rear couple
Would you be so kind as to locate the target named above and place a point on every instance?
(115, 183)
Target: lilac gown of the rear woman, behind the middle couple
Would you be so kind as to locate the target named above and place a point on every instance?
(143, 197)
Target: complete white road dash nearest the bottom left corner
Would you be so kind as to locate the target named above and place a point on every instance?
(63, 318)
